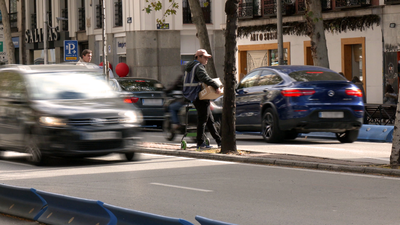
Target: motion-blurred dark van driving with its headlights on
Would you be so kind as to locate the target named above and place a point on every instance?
(63, 110)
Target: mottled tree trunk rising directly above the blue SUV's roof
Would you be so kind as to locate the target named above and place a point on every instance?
(315, 30)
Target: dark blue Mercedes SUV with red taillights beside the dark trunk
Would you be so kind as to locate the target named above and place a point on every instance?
(283, 101)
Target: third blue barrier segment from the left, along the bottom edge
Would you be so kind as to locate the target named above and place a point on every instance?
(133, 217)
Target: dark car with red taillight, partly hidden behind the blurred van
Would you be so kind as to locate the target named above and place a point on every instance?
(146, 94)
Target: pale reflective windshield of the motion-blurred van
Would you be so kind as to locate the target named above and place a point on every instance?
(79, 85)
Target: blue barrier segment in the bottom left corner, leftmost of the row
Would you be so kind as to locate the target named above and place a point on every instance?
(21, 202)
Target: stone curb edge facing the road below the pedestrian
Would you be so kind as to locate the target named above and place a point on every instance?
(274, 161)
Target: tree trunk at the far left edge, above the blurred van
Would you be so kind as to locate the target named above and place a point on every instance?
(7, 33)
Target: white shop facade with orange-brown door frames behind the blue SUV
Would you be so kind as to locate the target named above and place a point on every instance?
(362, 39)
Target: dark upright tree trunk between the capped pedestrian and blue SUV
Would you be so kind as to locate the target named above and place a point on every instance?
(229, 106)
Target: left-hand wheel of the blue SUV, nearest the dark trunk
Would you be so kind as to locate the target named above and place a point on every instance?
(270, 128)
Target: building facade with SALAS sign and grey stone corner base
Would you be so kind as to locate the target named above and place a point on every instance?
(132, 35)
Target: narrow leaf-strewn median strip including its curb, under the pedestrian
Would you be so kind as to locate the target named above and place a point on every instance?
(271, 159)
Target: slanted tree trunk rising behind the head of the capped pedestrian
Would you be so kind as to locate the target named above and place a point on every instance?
(198, 20)
